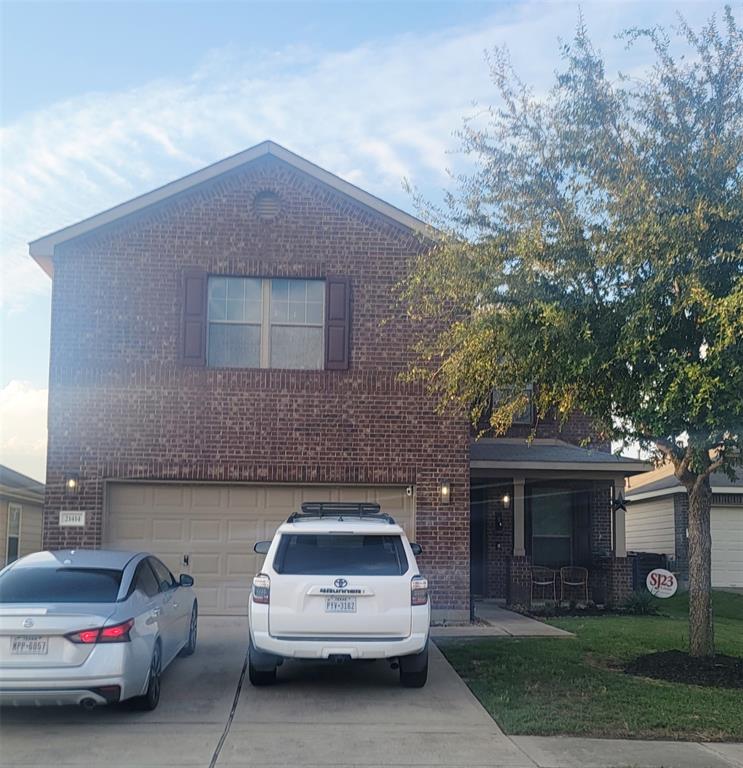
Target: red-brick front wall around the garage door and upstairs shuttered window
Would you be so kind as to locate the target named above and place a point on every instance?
(121, 405)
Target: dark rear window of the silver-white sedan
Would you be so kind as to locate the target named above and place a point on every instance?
(59, 585)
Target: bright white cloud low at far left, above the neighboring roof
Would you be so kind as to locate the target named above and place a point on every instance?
(23, 411)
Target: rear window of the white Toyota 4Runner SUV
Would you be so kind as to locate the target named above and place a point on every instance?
(347, 554)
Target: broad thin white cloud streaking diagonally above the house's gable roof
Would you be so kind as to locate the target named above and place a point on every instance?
(373, 114)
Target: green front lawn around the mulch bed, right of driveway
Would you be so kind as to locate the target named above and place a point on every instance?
(576, 686)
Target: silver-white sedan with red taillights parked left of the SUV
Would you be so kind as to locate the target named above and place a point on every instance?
(91, 627)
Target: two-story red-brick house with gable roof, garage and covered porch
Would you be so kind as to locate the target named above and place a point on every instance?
(231, 344)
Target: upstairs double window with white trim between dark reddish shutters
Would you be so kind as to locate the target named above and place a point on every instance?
(265, 323)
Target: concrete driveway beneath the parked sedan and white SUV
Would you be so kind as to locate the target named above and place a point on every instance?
(315, 716)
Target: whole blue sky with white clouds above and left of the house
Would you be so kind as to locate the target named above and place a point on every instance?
(103, 101)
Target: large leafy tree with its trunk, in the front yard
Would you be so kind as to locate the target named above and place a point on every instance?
(596, 249)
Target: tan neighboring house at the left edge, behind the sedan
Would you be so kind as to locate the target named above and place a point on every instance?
(21, 505)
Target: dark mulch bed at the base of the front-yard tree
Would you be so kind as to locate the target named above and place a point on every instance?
(678, 667)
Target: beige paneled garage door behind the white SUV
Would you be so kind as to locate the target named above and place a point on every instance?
(209, 530)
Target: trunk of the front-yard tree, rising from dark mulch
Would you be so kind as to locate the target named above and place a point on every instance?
(701, 627)
